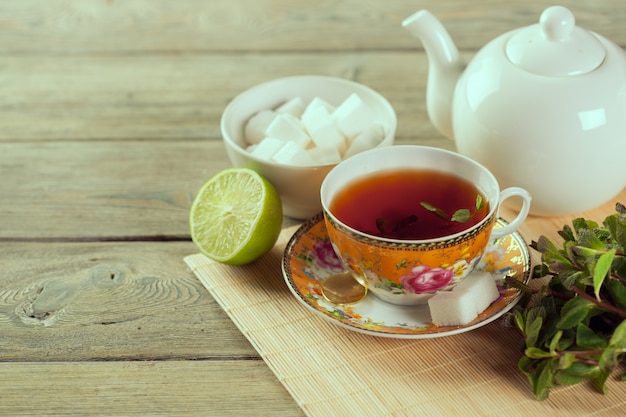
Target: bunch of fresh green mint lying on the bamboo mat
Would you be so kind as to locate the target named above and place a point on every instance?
(574, 326)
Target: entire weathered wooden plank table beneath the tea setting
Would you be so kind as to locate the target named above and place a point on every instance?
(109, 124)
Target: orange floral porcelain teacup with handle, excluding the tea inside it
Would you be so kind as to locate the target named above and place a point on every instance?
(409, 272)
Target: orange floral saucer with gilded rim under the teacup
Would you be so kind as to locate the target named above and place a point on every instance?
(309, 258)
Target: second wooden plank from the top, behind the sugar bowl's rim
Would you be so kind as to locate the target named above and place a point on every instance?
(180, 97)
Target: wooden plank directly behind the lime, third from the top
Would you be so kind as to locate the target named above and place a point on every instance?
(105, 190)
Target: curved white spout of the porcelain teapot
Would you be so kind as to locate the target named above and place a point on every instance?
(445, 66)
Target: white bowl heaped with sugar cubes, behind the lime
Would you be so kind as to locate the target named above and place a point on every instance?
(295, 175)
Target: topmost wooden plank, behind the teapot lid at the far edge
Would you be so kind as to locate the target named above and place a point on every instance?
(129, 26)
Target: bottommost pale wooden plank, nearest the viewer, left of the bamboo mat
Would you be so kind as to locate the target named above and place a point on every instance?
(173, 388)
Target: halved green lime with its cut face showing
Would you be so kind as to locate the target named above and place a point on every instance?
(236, 217)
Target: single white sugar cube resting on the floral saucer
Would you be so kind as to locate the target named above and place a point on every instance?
(465, 302)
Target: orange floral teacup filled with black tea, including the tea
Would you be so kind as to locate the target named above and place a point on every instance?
(409, 221)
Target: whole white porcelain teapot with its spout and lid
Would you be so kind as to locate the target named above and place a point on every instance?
(543, 107)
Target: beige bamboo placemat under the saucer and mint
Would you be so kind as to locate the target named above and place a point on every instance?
(332, 371)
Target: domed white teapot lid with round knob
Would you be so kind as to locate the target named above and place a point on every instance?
(555, 46)
